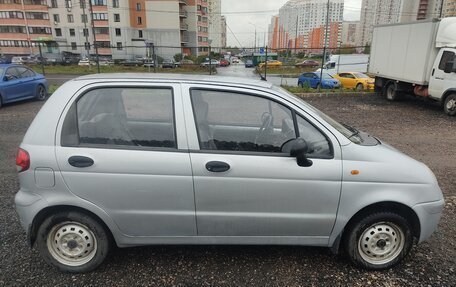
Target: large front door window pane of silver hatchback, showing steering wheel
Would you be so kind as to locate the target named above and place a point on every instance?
(230, 121)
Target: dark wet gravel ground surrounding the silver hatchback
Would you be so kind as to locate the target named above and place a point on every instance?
(417, 128)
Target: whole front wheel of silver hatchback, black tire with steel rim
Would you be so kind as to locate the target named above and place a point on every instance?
(384, 234)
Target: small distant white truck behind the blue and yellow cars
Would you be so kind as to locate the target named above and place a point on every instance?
(346, 63)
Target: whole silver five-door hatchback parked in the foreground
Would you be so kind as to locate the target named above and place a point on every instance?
(135, 159)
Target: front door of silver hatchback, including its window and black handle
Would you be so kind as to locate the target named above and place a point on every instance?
(244, 185)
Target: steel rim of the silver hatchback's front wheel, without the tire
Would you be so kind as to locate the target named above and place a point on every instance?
(381, 243)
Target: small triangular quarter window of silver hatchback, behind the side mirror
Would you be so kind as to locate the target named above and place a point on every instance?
(319, 146)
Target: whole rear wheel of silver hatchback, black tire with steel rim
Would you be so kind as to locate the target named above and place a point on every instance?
(90, 240)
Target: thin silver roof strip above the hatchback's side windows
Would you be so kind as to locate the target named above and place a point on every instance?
(176, 78)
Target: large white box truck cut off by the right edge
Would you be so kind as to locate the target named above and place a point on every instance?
(416, 58)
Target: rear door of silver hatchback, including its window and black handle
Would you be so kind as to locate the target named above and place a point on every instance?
(122, 149)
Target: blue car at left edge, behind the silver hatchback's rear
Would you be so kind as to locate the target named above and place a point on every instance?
(20, 83)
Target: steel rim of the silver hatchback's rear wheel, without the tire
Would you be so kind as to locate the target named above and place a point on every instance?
(72, 243)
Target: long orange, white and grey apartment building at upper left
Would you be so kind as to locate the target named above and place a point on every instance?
(121, 29)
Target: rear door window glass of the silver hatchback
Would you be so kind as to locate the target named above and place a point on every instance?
(141, 117)
